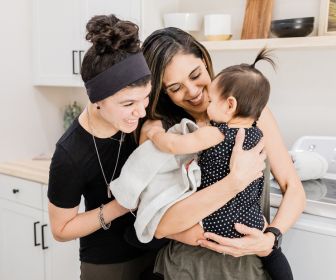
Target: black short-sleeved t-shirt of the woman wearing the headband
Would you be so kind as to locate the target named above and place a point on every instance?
(75, 171)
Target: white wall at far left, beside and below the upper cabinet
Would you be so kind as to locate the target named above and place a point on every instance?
(30, 117)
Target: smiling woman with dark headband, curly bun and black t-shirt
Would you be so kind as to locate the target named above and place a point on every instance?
(92, 151)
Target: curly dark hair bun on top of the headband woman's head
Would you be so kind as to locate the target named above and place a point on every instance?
(108, 33)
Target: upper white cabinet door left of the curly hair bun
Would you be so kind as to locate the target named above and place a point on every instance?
(56, 42)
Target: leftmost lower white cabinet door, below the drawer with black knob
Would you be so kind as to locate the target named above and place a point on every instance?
(21, 256)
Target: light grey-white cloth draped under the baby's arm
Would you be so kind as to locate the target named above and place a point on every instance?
(152, 181)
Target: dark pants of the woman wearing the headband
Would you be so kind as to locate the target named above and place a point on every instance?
(138, 269)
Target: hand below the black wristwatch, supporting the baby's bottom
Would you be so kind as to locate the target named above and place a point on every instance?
(255, 242)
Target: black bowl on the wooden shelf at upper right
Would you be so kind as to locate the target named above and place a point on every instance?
(283, 28)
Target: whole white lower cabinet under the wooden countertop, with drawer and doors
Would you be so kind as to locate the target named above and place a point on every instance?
(28, 250)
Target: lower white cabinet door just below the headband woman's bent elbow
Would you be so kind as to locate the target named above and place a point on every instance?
(61, 258)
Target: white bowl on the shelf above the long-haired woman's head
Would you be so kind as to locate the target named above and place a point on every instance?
(184, 21)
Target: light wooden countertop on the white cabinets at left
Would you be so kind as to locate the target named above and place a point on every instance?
(32, 170)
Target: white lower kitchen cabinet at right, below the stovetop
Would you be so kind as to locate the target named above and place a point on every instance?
(310, 245)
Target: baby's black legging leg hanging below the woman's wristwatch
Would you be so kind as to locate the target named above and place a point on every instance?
(277, 266)
